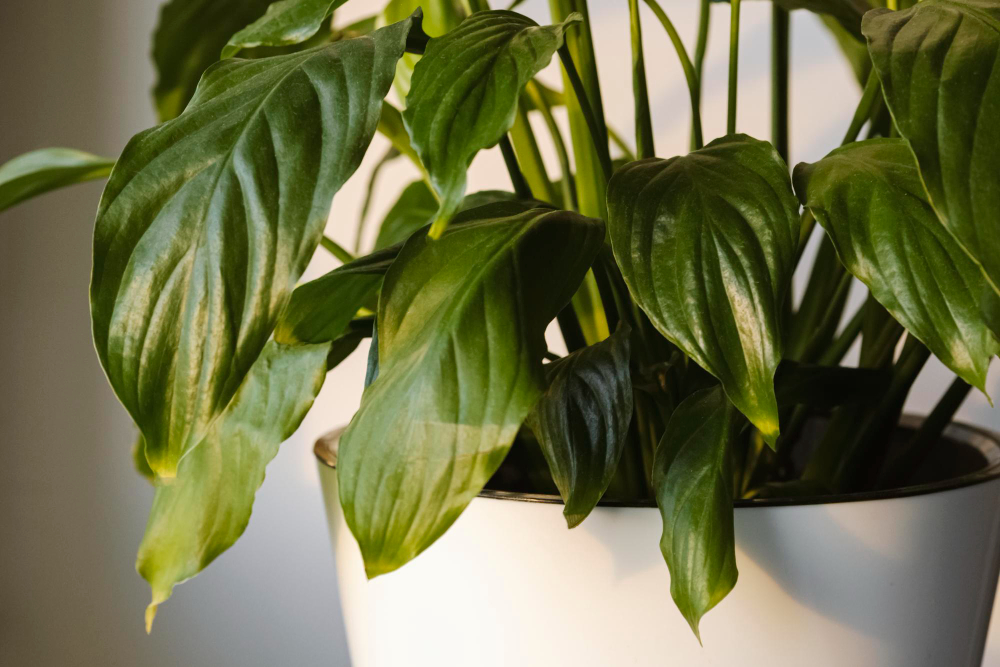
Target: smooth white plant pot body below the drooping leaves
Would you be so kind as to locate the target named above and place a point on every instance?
(895, 579)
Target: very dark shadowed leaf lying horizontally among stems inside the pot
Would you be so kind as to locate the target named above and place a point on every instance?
(824, 387)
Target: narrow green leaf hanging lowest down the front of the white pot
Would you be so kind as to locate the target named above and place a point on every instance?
(693, 482)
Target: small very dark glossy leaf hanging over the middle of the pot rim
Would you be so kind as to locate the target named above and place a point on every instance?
(582, 420)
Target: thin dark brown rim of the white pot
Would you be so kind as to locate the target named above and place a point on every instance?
(983, 440)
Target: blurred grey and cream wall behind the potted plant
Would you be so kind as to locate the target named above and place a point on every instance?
(72, 511)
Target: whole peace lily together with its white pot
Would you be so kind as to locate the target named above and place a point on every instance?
(698, 400)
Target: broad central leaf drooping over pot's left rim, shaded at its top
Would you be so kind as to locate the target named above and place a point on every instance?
(460, 345)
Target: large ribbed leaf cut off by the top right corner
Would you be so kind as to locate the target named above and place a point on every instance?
(938, 63)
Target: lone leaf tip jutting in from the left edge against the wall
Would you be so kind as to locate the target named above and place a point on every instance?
(40, 171)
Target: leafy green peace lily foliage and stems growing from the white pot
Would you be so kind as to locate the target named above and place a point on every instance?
(691, 368)
